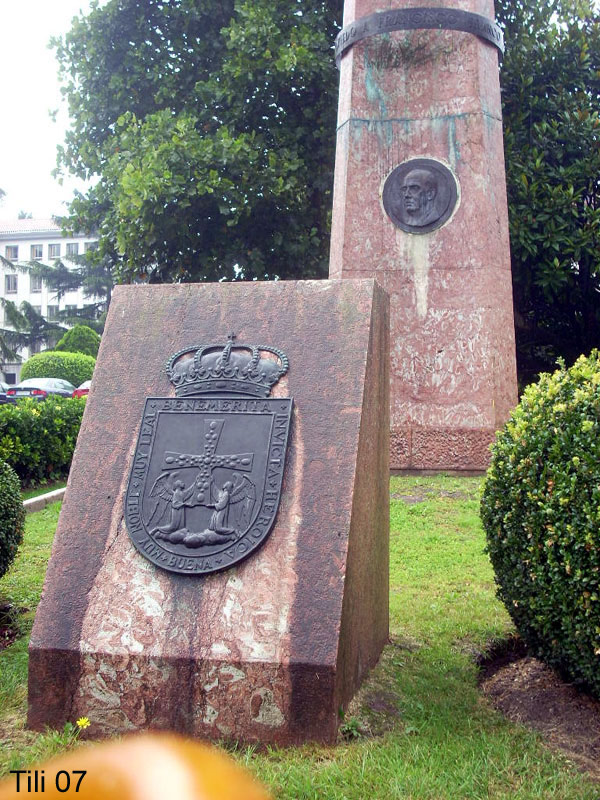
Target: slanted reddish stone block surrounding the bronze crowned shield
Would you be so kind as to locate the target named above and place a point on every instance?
(266, 651)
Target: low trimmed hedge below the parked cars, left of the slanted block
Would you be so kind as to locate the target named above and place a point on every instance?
(37, 438)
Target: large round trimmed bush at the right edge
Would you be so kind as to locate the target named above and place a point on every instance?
(541, 512)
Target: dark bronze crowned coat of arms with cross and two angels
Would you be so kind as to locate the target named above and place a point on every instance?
(208, 467)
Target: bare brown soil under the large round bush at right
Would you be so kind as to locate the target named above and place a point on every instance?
(527, 691)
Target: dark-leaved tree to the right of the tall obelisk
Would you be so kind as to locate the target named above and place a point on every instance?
(551, 83)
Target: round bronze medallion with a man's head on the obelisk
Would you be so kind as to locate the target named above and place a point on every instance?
(420, 195)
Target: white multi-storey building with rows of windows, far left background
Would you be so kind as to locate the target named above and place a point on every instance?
(27, 240)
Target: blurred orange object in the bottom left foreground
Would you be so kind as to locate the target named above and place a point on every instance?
(142, 767)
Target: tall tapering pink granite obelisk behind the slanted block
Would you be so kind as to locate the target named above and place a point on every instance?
(431, 96)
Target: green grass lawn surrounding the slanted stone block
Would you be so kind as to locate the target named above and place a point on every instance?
(419, 729)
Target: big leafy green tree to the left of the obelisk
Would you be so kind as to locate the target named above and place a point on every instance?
(211, 128)
